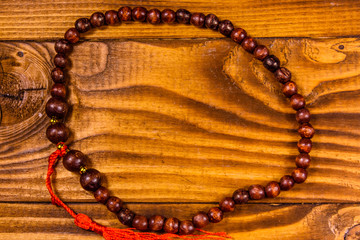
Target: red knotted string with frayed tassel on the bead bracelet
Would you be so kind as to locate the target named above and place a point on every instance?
(85, 222)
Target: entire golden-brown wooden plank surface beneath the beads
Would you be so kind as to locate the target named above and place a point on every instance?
(178, 117)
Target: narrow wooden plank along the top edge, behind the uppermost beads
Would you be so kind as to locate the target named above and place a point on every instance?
(48, 20)
